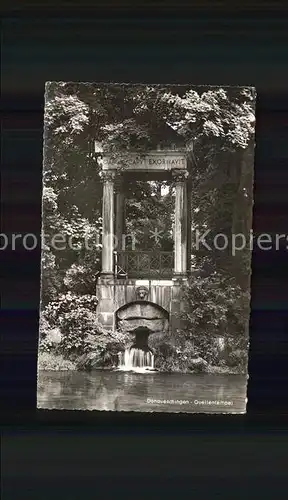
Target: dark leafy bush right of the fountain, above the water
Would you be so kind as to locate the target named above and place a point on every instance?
(217, 307)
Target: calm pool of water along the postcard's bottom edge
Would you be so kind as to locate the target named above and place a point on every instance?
(145, 392)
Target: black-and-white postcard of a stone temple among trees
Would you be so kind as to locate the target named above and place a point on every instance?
(146, 247)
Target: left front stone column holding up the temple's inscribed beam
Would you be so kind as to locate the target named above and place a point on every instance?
(108, 223)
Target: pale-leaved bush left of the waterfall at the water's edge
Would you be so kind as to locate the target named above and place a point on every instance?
(83, 340)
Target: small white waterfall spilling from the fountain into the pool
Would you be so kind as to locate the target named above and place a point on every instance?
(136, 359)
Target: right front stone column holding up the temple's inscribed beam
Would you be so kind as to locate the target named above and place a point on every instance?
(180, 223)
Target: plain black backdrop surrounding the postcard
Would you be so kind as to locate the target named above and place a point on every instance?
(61, 454)
